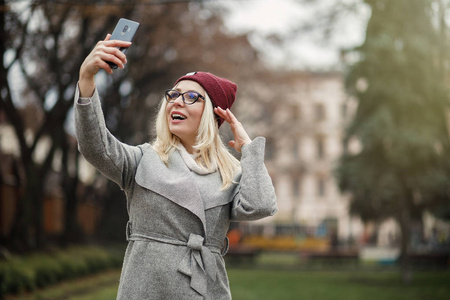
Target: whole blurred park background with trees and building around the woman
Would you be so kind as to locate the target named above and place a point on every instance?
(351, 95)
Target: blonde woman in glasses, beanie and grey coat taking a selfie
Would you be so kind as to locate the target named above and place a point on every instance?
(183, 189)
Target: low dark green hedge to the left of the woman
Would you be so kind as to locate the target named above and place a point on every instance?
(26, 273)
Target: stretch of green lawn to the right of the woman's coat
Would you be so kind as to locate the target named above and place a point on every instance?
(322, 285)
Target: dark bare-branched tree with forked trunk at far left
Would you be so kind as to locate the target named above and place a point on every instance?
(45, 55)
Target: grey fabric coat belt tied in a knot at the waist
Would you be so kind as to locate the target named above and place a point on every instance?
(198, 263)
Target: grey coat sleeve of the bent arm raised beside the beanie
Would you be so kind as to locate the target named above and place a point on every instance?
(255, 196)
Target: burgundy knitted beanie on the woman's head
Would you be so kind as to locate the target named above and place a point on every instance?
(221, 91)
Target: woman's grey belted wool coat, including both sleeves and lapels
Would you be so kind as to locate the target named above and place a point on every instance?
(178, 219)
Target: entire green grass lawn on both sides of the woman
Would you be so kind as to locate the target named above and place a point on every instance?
(248, 284)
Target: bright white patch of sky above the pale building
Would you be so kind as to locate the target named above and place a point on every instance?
(308, 49)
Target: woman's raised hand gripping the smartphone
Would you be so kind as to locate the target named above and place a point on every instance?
(105, 51)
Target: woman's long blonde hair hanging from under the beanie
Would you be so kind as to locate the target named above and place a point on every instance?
(210, 149)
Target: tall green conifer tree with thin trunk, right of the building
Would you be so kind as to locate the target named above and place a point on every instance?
(403, 167)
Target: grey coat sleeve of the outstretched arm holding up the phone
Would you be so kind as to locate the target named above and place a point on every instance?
(112, 158)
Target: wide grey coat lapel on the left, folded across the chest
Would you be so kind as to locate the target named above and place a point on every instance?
(173, 182)
